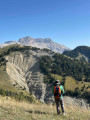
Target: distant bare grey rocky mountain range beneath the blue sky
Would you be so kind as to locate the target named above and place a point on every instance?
(39, 43)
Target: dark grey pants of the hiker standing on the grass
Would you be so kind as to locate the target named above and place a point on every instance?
(59, 101)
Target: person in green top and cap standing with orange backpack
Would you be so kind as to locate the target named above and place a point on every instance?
(58, 90)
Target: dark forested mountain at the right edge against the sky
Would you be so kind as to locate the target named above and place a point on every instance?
(80, 52)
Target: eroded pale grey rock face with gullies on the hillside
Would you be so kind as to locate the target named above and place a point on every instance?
(23, 69)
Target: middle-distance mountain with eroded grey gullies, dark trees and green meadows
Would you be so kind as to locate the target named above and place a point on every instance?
(33, 70)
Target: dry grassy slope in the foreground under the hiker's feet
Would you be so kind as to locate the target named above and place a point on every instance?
(14, 110)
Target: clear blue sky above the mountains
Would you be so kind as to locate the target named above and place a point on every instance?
(66, 22)
